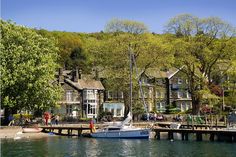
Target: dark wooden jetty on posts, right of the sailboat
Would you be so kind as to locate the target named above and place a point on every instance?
(220, 135)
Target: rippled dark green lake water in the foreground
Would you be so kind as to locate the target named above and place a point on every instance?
(72, 147)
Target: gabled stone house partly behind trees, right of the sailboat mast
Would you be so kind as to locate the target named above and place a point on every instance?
(169, 88)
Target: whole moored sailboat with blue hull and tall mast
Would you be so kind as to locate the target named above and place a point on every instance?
(124, 129)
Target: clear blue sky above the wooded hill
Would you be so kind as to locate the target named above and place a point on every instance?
(92, 15)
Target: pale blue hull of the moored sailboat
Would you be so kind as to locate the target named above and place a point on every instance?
(132, 134)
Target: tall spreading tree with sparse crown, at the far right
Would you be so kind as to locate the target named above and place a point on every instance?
(202, 46)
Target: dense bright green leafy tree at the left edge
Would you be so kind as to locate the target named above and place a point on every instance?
(28, 64)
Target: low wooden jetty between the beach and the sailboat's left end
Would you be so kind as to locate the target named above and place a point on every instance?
(69, 129)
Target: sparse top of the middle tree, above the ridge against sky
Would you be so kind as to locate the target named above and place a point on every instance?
(118, 25)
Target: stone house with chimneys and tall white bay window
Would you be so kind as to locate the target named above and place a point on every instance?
(82, 96)
